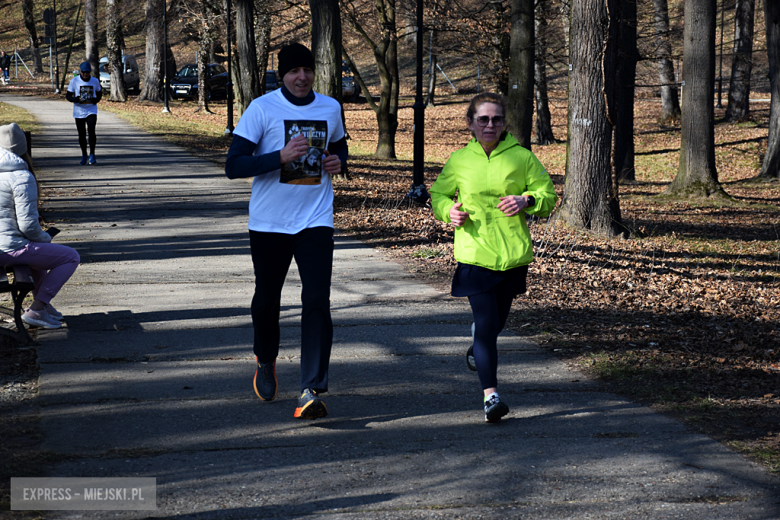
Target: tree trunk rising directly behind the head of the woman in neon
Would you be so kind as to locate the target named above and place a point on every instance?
(520, 96)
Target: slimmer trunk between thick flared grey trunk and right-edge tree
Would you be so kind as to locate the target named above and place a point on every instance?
(742, 64)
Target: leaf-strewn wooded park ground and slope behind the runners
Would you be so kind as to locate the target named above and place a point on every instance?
(677, 306)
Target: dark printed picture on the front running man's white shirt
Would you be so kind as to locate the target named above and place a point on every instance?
(307, 169)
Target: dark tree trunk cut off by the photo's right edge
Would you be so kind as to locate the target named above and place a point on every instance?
(771, 167)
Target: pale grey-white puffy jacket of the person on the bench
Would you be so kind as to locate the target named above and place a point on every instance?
(18, 205)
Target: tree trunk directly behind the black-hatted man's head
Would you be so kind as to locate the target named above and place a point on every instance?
(326, 46)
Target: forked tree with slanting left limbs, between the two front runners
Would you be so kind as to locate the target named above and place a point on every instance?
(385, 50)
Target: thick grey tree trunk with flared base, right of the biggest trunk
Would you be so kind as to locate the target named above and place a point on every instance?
(697, 175)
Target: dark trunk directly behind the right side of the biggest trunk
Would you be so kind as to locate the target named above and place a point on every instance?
(628, 56)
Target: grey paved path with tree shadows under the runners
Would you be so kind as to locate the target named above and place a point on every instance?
(152, 376)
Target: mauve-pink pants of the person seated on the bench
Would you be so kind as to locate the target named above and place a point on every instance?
(51, 265)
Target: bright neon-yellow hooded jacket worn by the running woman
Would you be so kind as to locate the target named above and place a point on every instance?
(489, 238)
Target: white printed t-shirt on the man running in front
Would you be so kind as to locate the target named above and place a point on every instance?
(301, 196)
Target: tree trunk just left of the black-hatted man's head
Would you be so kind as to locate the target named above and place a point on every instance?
(247, 84)
